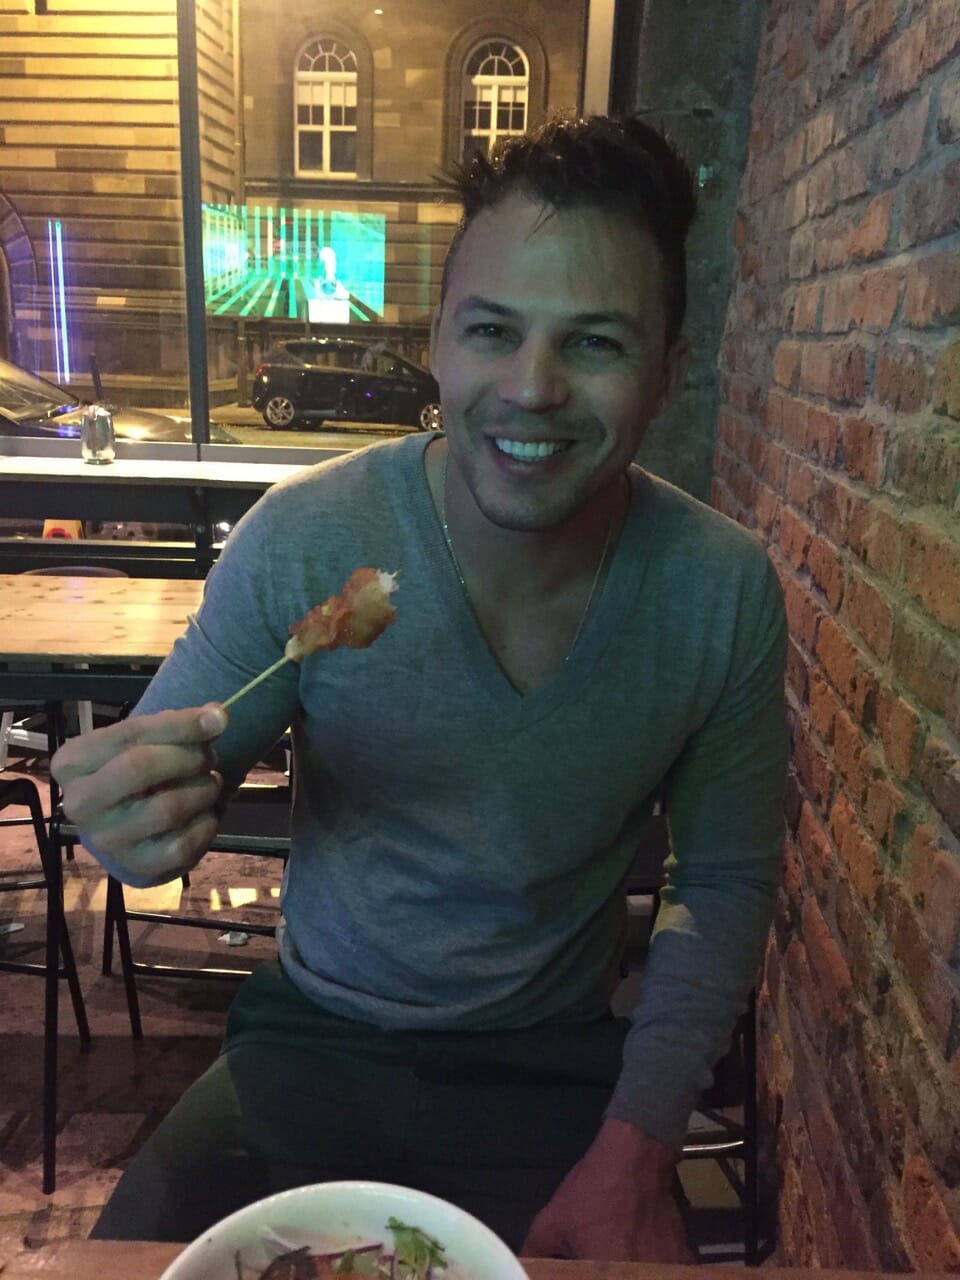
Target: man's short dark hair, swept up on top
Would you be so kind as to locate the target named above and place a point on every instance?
(605, 162)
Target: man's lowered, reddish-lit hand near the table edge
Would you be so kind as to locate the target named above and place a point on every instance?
(615, 1204)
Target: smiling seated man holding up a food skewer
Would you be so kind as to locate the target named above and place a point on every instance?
(574, 637)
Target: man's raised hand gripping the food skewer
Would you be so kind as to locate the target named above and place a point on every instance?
(143, 792)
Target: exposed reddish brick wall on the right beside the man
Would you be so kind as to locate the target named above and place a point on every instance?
(840, 445)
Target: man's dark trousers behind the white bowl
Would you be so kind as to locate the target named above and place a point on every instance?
(490, 1121)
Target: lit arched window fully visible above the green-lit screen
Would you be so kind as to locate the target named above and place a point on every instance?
(326, 111)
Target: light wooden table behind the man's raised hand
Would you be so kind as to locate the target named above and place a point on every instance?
(120, 629)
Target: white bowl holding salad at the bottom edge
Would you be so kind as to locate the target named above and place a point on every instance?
(339, 1215)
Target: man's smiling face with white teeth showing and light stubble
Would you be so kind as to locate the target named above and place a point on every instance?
(551, 355)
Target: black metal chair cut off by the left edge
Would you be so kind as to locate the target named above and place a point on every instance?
(58, 963)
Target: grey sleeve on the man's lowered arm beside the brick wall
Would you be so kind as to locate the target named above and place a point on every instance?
(726, 820)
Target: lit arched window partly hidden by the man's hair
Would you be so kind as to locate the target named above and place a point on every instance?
(496, 83)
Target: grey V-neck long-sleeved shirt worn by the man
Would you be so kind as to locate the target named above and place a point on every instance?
(459, 849)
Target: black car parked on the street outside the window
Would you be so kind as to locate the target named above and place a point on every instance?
(344, 380)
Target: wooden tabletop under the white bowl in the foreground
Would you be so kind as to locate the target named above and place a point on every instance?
(95, 1260)
